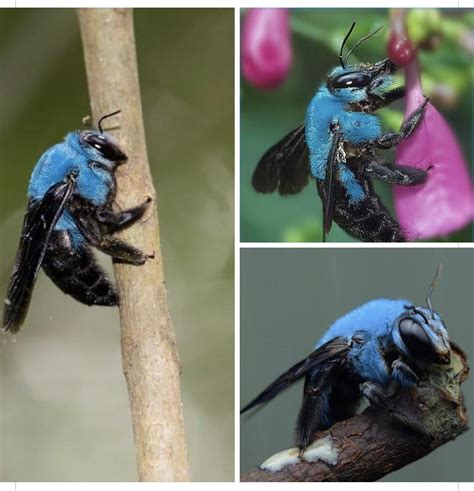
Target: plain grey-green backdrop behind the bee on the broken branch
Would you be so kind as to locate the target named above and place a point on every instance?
(290, 296)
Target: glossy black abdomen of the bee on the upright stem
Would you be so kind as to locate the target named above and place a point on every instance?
(75, 271)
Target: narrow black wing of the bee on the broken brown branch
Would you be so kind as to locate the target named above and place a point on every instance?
(329, 354)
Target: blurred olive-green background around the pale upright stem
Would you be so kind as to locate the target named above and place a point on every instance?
(64, 413)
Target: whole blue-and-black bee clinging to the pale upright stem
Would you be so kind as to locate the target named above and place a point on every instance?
(70, 198)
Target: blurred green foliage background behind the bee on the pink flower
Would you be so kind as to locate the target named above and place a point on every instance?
(266, 116)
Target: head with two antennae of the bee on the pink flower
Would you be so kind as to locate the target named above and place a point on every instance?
(356, 83)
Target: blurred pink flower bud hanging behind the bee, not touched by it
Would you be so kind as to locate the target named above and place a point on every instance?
(266, 47)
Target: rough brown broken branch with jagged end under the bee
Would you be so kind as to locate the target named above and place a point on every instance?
(371, 445)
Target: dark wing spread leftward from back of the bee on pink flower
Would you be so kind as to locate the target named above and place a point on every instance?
(284, 166)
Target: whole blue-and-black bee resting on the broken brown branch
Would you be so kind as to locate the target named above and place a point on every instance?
(364, 354)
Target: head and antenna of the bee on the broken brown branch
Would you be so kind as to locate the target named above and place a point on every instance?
(420, 333)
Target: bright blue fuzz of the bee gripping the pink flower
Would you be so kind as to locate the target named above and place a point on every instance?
(357, 128)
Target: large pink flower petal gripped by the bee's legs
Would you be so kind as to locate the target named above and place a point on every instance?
(445, 202)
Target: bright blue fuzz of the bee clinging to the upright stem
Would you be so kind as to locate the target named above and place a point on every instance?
(93, 182)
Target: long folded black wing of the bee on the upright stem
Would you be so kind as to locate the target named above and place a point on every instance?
(40, 219)
